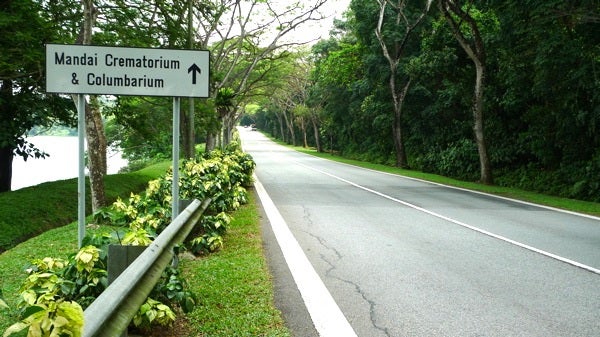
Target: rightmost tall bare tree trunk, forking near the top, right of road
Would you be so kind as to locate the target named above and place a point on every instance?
(466, 30)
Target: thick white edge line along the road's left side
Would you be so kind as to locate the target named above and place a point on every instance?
(327, 317)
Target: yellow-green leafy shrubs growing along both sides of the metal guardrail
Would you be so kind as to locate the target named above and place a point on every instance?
(55, 290)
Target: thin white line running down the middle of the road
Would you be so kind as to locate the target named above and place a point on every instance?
(479, 230)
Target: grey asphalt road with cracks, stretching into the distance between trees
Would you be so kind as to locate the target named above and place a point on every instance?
(402, 257)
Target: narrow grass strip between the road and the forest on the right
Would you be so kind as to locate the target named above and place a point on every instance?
(579, 206)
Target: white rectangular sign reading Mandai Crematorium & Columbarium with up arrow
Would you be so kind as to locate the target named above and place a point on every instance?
(79, 69)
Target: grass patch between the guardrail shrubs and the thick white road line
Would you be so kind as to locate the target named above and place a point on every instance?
(234, 284)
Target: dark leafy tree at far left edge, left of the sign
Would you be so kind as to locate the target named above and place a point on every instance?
(26, 26)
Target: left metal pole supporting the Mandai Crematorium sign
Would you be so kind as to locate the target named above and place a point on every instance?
(81, 179)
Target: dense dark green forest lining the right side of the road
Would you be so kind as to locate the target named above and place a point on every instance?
(540, 102)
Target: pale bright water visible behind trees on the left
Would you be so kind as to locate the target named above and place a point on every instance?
(63, 162)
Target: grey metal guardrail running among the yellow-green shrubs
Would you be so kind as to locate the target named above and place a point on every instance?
(110, 314)
